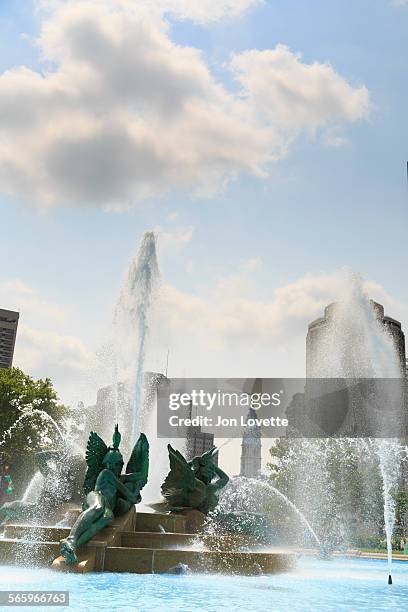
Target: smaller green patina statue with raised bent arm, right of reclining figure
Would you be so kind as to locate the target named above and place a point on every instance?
(193, 485)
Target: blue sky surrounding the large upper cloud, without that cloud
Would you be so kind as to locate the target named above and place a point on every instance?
(318, 209)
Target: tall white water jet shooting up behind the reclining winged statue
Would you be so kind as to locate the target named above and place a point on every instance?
(131, 323)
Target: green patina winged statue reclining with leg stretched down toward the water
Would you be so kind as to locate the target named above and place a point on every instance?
(108, 492)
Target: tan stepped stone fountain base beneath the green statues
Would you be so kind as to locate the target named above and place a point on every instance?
(136, 543)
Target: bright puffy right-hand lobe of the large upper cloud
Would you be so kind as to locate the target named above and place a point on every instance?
(292, 96)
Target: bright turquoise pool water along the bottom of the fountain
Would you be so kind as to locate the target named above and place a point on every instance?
(340, 584)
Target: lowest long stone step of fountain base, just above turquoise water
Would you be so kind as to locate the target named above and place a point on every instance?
(156, 561)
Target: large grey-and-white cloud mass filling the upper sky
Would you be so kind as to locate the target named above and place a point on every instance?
(121, 113)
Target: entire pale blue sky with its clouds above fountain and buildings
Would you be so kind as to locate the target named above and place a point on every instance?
(263, 141)
